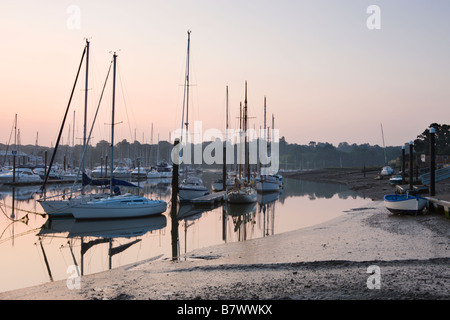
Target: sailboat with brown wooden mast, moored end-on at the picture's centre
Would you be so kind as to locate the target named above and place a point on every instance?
(243, 191)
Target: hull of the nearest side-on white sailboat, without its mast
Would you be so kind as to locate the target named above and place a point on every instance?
(118, 207)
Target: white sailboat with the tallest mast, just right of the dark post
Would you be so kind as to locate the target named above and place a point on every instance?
(191, 187)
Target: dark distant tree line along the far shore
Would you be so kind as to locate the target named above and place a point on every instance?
(314, 155)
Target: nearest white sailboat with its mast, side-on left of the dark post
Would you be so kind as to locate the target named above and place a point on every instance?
(117, 206)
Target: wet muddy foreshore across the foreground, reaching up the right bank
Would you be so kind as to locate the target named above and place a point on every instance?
(330, 261)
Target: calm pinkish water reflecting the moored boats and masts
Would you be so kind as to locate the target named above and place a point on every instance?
(35, 249)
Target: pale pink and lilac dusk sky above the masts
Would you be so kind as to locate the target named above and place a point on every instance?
(331, 71)
